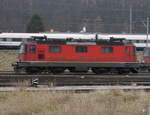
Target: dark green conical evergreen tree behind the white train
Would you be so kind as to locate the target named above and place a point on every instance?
(35, 25)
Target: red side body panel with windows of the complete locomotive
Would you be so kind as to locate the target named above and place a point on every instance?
(78, 53)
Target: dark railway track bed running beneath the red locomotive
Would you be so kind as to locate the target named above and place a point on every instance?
(70, 79)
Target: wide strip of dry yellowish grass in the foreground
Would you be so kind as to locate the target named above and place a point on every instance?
(65, 103)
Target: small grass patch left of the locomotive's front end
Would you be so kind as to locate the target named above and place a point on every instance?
(7, 57)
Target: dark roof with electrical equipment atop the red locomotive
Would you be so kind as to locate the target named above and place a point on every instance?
(71, 41)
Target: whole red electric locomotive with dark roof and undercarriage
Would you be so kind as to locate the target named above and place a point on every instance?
(77, 55)
